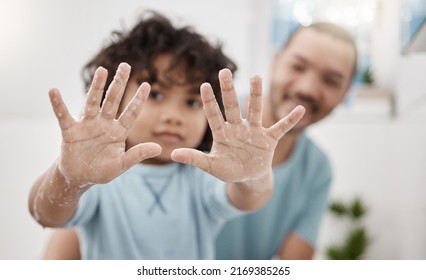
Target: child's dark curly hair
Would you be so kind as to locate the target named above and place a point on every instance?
(155, 35)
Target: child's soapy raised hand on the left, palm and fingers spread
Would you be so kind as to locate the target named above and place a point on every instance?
(93, 148)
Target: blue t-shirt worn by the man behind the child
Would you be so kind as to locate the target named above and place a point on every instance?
(297, 204)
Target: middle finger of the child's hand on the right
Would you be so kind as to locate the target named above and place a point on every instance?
(229, 97)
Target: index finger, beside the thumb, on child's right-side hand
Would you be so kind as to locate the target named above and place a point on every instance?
(211, 108)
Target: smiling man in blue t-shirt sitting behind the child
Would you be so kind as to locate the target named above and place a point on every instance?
(314, 69)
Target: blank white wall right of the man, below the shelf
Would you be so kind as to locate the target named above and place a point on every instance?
(382, 160)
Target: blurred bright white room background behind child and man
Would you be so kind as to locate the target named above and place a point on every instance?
(376, 139)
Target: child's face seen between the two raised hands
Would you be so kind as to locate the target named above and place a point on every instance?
(172, 116)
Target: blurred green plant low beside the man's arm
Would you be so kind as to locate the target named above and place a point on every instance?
(357, 239)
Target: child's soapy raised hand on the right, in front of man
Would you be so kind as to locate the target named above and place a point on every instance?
(242, 149)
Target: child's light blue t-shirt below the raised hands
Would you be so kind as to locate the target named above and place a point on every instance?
(153, 212)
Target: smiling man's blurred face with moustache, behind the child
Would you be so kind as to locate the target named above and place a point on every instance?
(314, 70)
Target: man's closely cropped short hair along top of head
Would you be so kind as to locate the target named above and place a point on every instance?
(334, 31)
